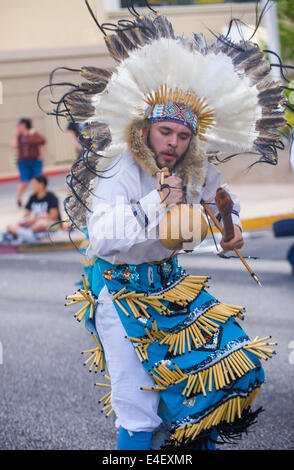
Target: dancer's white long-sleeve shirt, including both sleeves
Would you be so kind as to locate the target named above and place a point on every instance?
(126, 211)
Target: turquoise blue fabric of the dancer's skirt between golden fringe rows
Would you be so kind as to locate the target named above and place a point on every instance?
(179, 410)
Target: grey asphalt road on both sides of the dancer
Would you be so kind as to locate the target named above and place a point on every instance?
(48, 399)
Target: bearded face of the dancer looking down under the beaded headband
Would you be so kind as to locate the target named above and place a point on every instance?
(168, 140)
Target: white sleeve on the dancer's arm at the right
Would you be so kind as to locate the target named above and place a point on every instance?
(212, 183)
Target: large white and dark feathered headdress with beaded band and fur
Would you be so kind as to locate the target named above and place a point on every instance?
(223, 92)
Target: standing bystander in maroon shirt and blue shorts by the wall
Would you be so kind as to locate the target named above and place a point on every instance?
(30, 145)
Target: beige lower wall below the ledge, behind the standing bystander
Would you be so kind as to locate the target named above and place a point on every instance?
(22, 77)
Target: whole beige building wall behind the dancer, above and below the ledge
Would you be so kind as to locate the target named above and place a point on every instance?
(38, 36)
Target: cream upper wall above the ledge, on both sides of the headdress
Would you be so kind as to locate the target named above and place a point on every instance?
(44, 24)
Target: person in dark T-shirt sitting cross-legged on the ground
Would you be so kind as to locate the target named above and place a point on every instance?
(41, 212)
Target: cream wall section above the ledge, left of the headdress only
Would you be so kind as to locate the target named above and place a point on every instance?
(46, 24)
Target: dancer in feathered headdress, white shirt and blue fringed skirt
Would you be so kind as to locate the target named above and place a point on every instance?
(183, 372)
